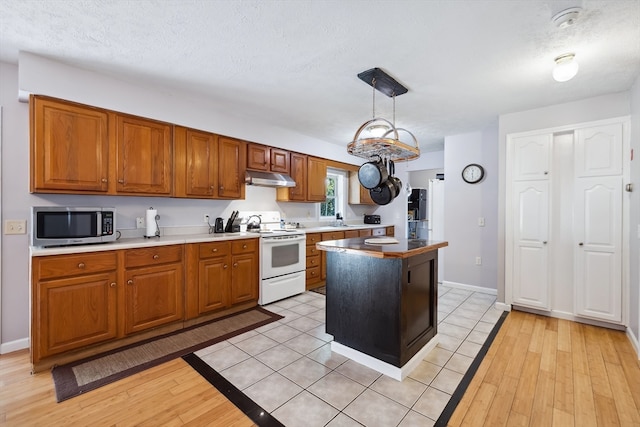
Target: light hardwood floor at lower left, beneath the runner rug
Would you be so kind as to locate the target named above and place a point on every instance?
(170, 394)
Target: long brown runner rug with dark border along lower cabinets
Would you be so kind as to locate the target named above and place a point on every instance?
(83, 375)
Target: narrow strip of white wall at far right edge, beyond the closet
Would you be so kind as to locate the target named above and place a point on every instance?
(634, 238)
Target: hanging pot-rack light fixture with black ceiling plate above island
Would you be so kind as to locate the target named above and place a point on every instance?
(378, 136)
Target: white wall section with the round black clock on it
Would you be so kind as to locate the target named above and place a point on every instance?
(465, 204)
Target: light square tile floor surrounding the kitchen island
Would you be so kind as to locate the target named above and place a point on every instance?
(287, 366)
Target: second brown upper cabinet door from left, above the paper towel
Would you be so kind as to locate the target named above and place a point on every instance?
(144, 156)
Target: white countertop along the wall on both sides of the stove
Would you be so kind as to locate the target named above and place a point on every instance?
(177, 239)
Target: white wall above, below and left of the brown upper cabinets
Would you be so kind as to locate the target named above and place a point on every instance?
(48, 77)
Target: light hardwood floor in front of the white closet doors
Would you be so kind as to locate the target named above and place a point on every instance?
(541, 371)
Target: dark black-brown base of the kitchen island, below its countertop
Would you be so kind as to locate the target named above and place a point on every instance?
(385, 308)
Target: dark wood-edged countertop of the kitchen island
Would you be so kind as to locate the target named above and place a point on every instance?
(405, 248)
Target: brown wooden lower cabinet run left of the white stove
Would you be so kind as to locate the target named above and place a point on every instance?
(88, 303)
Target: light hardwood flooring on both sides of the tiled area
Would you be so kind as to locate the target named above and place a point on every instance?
(538, 372)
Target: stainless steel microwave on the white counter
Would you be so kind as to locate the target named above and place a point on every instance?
(61, 226)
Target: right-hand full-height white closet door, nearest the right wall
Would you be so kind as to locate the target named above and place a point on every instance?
(598, 222)
